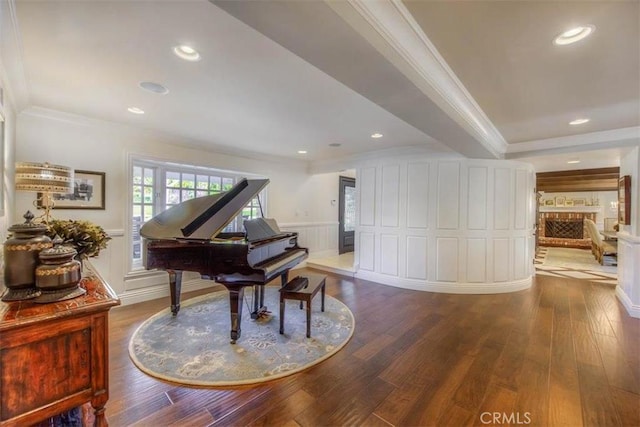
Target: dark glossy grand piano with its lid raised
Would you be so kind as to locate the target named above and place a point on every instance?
(189, 237)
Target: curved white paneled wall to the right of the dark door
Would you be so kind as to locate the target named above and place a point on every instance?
(462, 226)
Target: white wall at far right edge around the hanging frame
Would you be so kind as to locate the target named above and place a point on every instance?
(628, 289)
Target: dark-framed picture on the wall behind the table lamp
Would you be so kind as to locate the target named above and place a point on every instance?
(88, 192)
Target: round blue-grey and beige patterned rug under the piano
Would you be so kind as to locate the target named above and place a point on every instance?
(193, 348)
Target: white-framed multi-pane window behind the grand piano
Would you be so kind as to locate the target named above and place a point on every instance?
(157, 186)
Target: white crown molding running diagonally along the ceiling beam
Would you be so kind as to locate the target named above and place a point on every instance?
(401, 40)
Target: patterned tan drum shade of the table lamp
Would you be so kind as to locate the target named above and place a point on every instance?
(44, 178)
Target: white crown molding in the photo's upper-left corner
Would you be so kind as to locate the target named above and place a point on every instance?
(11, 65)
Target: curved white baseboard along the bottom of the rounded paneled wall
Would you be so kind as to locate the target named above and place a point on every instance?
(445, 287)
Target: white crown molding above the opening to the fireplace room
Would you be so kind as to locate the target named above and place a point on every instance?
(614, 138)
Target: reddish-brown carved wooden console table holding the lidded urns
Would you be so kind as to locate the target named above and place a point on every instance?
(55, 356)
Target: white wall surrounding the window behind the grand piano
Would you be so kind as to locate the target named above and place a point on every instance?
(297, 200)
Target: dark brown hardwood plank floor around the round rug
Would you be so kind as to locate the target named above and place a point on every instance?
(564, 352)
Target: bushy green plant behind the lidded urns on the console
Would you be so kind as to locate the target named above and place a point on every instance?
(84, 236)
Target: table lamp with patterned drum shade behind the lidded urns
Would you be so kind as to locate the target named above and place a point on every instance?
(45, 179)
